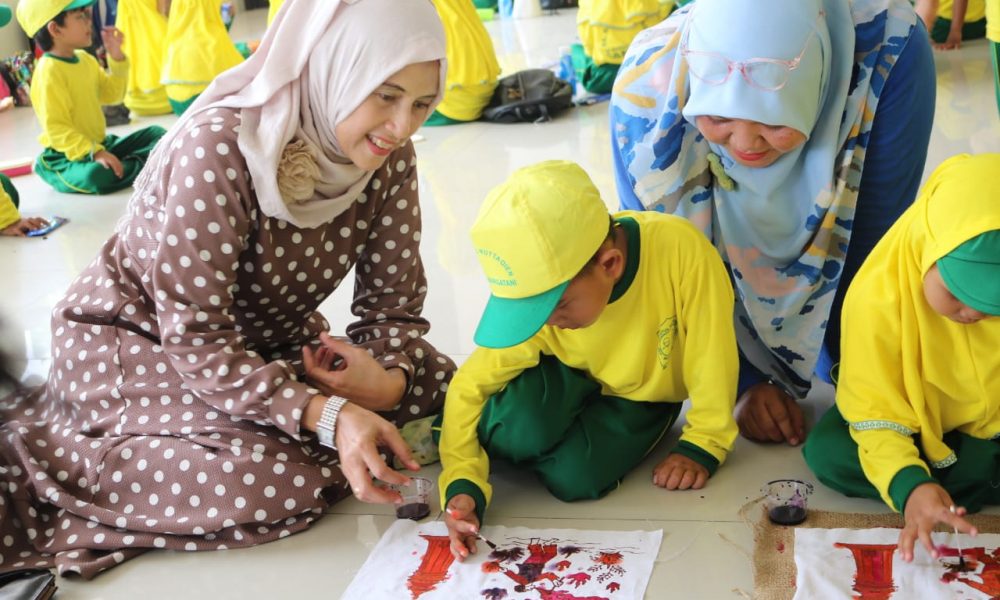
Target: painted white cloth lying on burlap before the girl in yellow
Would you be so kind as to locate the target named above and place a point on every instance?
(828, 569)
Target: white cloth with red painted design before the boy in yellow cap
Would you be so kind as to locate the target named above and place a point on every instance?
(585, 563)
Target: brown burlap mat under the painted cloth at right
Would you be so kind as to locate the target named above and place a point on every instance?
(774, 545)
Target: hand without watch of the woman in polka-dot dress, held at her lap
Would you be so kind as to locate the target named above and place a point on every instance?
(357, 376)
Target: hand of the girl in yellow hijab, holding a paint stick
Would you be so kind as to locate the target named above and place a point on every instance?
(928, 505)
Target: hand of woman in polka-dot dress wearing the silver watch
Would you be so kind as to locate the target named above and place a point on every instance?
(359, 433)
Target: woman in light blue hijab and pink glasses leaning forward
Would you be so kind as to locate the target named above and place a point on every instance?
(793, 133)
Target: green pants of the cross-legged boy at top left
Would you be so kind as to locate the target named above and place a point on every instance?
(89, 177)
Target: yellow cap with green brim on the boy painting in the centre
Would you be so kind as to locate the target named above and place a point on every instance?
(534, 233)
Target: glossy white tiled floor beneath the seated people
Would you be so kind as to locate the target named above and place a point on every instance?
(705, 544)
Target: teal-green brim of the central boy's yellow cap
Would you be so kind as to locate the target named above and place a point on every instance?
(509, 321)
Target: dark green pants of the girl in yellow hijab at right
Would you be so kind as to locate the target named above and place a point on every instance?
(832, 454)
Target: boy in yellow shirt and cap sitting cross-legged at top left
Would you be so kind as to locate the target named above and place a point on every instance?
(67, 90)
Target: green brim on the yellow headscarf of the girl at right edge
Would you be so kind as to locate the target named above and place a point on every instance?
(972, 272)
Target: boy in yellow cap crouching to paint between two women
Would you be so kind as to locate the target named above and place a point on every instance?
(597, 329)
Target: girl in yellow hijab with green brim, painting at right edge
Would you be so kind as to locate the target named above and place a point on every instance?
(917, 420)
